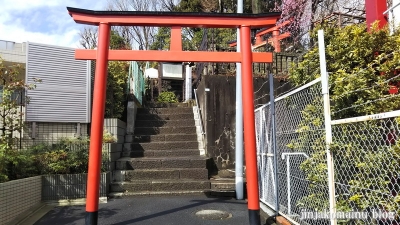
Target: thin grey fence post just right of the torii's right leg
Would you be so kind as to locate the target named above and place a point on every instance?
(273, 139)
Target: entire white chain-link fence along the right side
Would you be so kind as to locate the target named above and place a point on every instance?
(365, 156)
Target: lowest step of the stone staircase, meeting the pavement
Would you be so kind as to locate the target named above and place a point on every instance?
(160, 185)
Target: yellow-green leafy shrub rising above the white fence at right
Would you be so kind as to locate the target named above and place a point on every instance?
(359, 65)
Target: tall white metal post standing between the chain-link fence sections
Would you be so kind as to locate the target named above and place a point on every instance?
(328, 126)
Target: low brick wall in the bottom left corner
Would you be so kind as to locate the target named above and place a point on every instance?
(18, 196)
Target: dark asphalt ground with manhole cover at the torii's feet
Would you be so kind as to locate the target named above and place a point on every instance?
(165, 210)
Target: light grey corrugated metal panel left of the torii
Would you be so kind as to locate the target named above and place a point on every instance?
(64, 93)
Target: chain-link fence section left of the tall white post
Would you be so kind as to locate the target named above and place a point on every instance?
(299, 136)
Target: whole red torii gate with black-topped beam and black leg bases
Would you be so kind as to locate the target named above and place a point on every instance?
(106, 19)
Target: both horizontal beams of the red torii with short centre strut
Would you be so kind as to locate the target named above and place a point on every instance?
(176, 21)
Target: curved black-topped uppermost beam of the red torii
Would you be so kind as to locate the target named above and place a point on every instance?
(170, 19)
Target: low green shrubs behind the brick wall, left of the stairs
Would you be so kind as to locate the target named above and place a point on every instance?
(67, 156)
